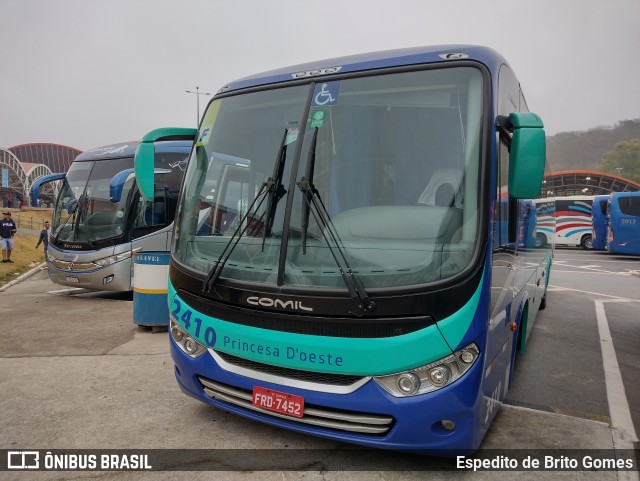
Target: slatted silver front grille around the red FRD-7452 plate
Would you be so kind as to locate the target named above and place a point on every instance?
(350, 421)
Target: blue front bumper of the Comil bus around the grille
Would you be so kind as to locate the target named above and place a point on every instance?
(367, 415)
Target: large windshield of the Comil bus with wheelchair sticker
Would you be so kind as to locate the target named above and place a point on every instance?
(378, 174)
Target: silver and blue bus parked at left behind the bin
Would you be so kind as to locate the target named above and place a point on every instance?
(100, 220)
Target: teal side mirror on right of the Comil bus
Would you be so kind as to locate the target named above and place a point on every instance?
(527, 157)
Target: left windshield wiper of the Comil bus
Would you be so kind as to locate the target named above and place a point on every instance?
(274, 190)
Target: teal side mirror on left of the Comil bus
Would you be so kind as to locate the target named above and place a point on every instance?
(144, 160)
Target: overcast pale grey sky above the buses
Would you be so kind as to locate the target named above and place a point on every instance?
(87, 73)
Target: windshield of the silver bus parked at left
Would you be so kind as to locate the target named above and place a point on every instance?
(84, 212)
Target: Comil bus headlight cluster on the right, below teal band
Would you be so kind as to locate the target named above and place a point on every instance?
(430, 377)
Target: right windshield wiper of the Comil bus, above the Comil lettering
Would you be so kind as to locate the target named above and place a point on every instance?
(330, 234)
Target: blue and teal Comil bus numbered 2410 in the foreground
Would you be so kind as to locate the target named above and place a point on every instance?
(337, 267)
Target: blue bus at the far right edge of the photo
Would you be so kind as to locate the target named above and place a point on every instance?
(623, 211)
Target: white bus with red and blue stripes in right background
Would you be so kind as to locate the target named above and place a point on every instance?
(572, 222)
